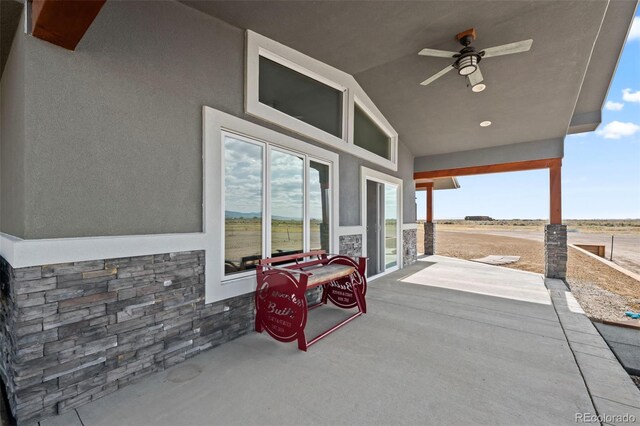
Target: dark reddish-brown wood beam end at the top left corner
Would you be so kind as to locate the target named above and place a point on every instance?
(63, 22)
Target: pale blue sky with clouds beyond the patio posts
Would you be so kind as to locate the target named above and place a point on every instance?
(600, 171)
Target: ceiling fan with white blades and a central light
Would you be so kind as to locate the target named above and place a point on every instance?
(467, 60)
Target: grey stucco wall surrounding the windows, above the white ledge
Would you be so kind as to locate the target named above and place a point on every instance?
(115, 128)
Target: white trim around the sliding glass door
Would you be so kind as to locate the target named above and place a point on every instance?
(370, 174)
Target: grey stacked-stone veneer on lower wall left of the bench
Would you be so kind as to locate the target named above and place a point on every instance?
(72, 333)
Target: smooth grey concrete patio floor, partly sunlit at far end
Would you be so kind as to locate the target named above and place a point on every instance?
(445, 341)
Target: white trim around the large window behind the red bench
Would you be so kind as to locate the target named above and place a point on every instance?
(217, 286)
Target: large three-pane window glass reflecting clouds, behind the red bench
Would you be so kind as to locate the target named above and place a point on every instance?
(276, 202)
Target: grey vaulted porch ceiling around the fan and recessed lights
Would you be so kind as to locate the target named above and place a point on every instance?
(530, 96)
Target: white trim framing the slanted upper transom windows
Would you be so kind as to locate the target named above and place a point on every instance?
(258, 45)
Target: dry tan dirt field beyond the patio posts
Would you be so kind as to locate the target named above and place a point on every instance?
(603, 292)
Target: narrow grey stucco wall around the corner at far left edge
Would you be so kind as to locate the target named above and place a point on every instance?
(12, 140)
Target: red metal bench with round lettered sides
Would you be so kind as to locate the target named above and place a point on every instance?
(281, 305)
